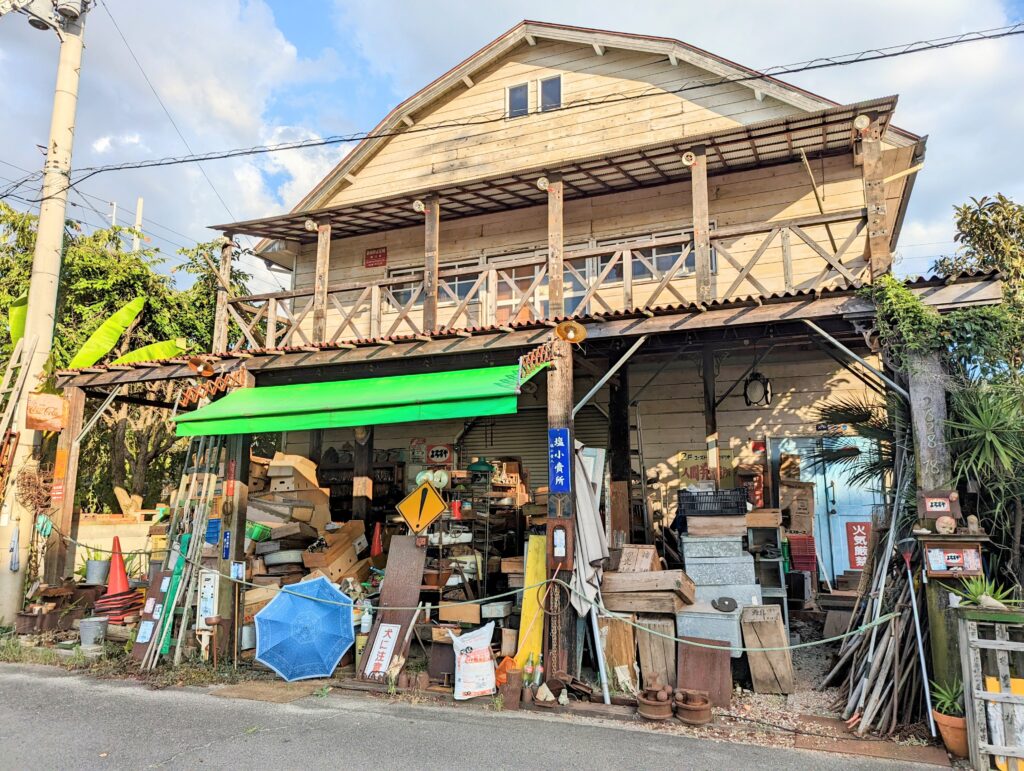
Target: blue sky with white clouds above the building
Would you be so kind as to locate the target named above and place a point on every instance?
(237, 73)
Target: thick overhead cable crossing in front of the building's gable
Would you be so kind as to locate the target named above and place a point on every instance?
(872, 55)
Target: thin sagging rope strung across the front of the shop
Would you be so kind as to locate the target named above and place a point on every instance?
(603, 612)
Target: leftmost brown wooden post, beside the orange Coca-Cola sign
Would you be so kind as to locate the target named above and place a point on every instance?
(63, 492)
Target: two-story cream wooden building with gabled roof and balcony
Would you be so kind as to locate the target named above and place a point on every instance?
(709, 227)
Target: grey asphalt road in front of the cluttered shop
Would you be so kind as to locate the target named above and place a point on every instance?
(53, 720)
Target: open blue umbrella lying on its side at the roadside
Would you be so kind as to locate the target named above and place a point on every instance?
(306, 630)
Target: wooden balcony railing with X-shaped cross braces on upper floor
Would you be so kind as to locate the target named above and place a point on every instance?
(758, 261)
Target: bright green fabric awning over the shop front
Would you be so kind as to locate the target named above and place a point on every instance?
(372, 402)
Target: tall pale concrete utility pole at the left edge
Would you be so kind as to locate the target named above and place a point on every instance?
(68, 20)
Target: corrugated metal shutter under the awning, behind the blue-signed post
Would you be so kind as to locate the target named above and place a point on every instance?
(526, 436)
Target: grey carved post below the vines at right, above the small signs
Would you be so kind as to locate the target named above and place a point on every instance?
(928, 418)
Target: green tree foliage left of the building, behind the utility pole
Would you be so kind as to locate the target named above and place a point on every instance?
(134, 450)
